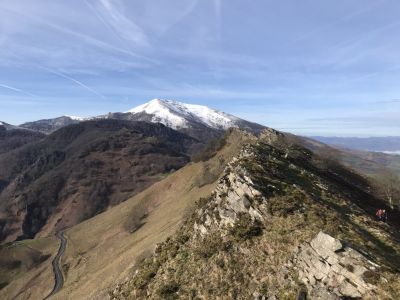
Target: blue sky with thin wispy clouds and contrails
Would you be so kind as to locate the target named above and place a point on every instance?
(310, 67)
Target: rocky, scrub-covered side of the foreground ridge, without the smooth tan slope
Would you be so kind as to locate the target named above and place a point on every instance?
(280, 224)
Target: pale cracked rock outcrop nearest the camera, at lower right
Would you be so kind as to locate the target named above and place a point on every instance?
(331, 270)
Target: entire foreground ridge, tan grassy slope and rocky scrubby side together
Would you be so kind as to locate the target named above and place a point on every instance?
(272, 216)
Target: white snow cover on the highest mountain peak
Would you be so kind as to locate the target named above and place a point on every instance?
(177, 115)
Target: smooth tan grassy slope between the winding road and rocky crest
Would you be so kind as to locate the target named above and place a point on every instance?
(103, 250)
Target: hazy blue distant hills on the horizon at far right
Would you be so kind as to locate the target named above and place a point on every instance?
(390, 144)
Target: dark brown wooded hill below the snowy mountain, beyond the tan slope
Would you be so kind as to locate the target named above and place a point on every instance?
(81, 170)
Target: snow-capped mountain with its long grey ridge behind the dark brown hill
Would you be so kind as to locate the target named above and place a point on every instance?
(196, 120)
